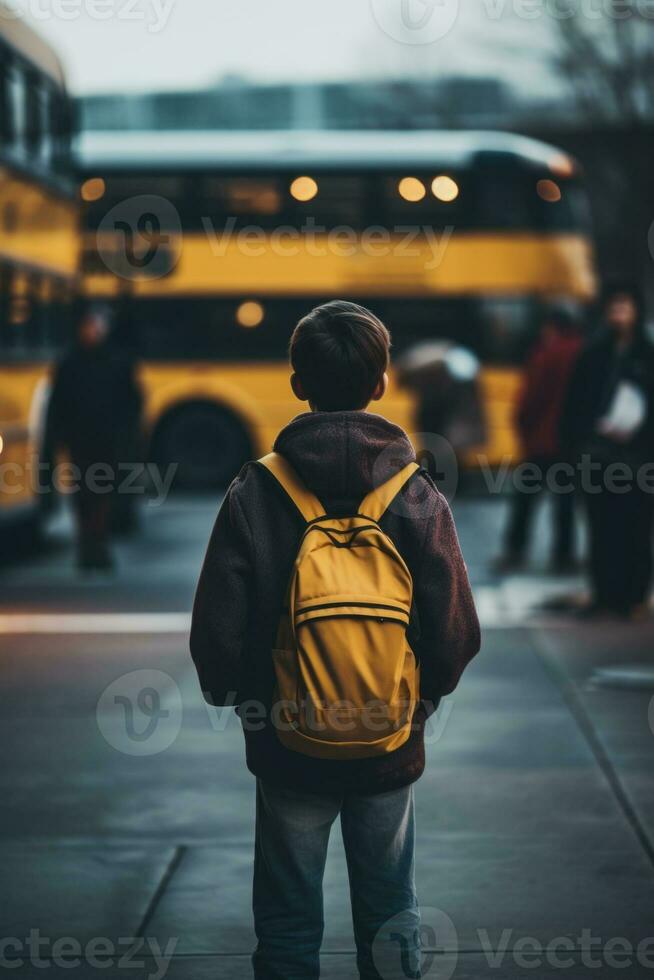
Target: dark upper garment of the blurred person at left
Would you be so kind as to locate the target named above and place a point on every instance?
(95, 403)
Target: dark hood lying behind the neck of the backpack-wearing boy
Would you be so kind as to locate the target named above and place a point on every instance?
(344, 455)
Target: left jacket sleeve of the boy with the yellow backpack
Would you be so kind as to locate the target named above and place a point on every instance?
(221, 607)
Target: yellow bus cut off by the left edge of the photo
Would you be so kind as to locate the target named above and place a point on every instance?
(39, 251)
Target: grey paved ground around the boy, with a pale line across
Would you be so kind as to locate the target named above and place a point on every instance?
(127, 814)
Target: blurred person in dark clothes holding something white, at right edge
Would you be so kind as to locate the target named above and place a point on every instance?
(608, 422)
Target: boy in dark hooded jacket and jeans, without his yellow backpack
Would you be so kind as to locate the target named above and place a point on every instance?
(339, 356)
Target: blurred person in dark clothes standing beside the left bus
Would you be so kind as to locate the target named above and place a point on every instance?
(94, 407)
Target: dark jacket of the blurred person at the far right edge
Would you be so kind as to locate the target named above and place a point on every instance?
(597, 373)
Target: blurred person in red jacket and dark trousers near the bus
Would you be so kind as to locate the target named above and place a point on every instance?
(537, 420)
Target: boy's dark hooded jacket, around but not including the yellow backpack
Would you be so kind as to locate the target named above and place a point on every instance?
(340, 456)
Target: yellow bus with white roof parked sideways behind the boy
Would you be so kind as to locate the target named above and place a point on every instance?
(210, 246)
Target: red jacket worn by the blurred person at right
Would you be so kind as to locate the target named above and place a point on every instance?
(543, 394)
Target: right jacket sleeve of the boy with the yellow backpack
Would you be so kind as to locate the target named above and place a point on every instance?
(449, 628)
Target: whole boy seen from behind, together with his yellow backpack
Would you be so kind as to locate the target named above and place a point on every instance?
(336, 459)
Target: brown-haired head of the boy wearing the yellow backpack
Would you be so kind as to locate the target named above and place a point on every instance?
(339, 355)
